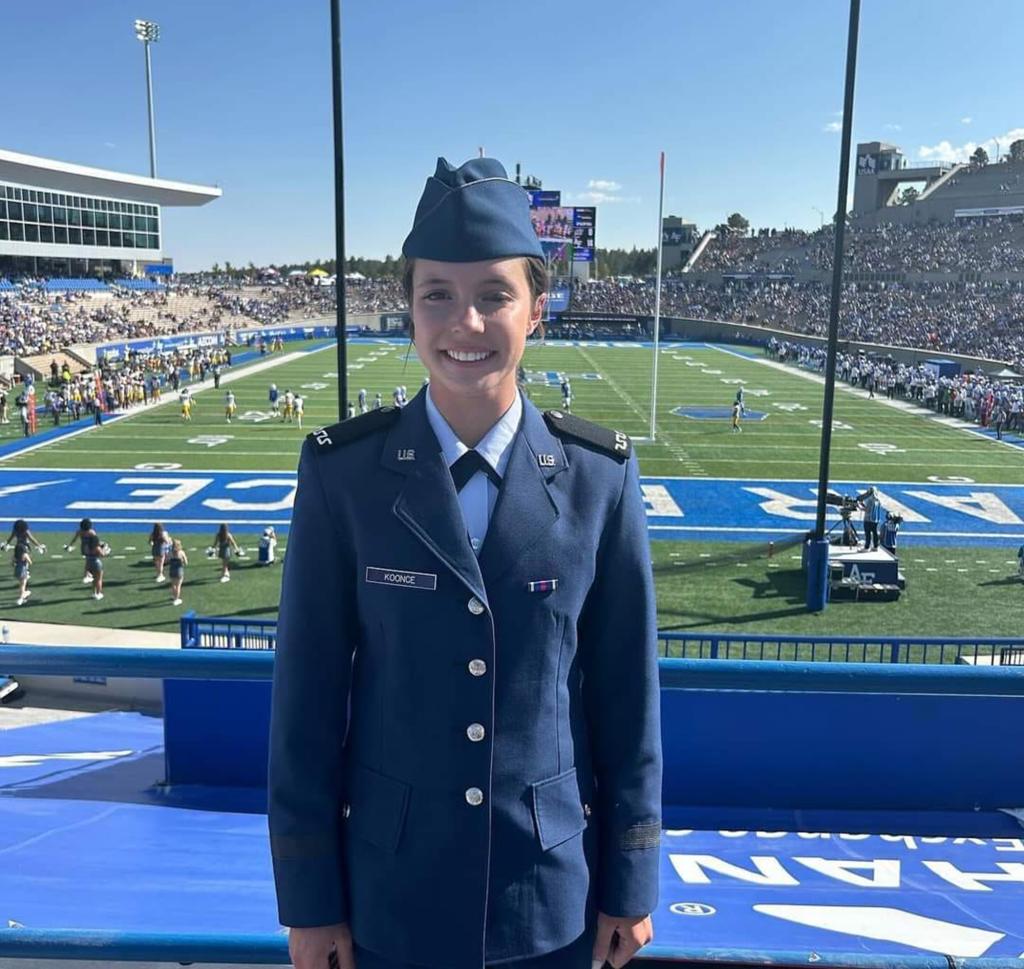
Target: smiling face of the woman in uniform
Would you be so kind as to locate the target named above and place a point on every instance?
(473, 320)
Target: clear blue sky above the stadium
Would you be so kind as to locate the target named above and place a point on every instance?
(741, 95)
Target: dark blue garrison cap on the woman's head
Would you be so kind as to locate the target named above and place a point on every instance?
(472, 214)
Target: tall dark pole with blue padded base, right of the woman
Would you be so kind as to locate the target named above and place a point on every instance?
(819, 559)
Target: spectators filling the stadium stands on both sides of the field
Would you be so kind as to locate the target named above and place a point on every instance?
(983, 318)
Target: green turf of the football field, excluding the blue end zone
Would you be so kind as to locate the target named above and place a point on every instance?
(756, 597)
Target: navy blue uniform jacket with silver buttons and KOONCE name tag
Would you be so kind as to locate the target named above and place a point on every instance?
(464, 768)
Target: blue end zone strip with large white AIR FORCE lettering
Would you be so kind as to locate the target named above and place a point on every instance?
(705, 509)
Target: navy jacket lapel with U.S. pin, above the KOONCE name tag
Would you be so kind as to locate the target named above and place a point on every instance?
(429, 504)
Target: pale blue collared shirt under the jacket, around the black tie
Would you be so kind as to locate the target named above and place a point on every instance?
(480, 494)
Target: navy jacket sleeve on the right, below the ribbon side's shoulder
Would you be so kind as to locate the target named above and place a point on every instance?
(619, 636)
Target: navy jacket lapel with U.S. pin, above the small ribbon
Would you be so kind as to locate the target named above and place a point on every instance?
(526, 508)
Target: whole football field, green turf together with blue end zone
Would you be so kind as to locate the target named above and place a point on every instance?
(715, 498)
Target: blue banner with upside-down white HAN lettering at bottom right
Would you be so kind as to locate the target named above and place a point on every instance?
(832, 893)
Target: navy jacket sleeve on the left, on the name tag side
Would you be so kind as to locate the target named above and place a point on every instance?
(310, 709)
